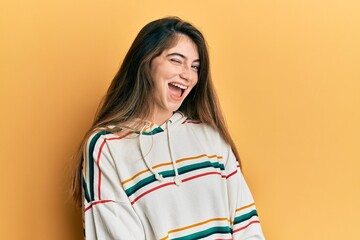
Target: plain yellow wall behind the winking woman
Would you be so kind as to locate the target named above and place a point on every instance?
(287, 72)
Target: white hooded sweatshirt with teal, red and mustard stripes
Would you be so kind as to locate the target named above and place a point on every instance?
(177, 181)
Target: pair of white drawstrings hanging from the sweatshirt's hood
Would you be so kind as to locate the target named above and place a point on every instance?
(159, 177)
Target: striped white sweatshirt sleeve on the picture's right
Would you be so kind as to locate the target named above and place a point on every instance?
(244, 217)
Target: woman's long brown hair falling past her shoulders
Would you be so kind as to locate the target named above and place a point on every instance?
(130, 97)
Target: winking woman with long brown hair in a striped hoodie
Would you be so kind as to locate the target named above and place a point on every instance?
(158, 162)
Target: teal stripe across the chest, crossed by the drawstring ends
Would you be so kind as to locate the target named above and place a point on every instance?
(171, 173)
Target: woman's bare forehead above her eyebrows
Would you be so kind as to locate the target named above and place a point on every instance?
(185, 46)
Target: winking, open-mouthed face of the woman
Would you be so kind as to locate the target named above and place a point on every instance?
(174, 73)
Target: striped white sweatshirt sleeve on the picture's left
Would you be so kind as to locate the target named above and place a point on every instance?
(107, 213)
